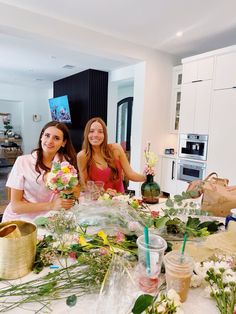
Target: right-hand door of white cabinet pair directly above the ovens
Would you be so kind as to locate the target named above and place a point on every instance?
(202, 107)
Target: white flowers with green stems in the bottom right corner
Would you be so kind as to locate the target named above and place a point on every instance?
(219, 278)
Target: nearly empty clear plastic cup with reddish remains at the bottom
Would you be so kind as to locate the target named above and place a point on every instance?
(150, 258)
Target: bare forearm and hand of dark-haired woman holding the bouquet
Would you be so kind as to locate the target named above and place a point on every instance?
(20, 205)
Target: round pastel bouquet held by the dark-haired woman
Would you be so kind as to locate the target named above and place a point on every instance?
(62, 177)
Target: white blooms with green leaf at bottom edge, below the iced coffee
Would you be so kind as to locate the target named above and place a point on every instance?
(168, 303)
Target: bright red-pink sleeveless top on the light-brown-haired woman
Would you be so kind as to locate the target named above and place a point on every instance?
(97, 174)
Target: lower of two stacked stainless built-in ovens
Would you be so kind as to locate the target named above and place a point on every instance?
(190, 170)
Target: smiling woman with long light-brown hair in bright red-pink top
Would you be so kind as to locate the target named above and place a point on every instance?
(99, 161)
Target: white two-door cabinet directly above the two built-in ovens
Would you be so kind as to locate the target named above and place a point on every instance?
(195, 107)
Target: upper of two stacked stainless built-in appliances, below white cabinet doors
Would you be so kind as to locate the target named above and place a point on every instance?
(193, 146)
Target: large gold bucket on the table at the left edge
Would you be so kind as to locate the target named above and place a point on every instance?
(17, 254)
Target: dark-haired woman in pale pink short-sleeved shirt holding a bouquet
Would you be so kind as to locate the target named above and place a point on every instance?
(29, 195)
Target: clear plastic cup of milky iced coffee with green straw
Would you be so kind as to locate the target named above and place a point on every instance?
(179, 269)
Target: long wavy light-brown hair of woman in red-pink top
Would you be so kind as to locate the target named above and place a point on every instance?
(106, 151)
